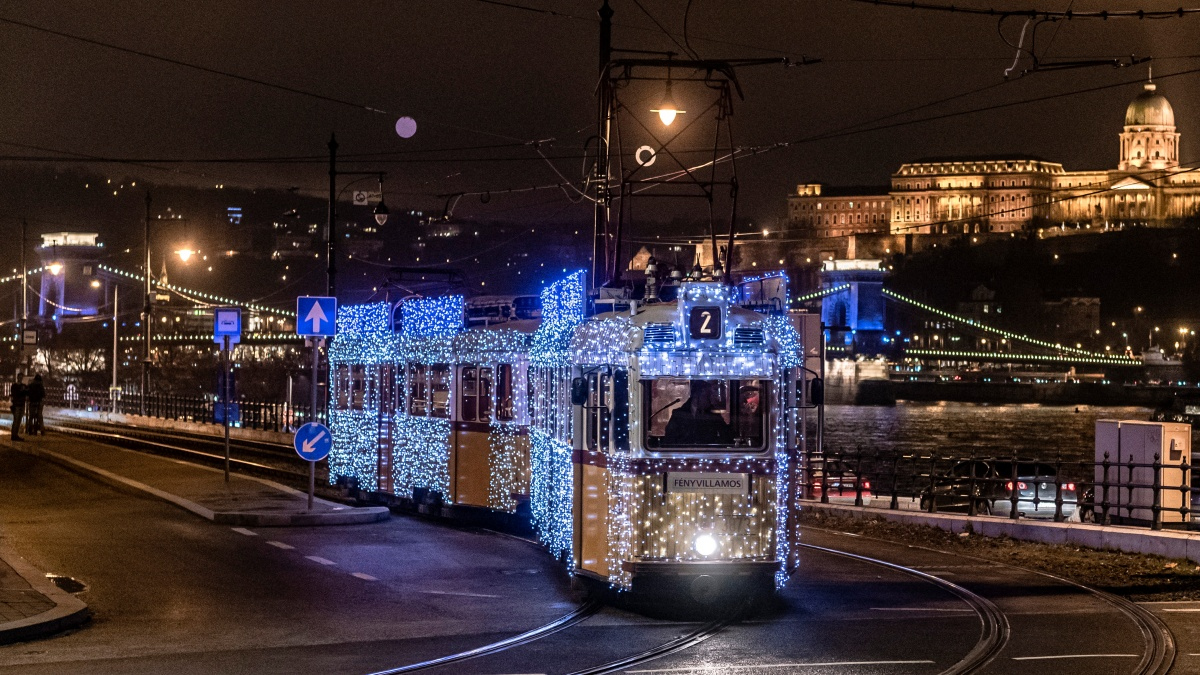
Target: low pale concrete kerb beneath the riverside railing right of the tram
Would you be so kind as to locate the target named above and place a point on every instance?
(1168, 543)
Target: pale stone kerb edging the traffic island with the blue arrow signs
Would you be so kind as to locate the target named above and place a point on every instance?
(345, 516)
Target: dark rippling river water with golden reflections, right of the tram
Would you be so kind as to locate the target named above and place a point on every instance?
(1030, 431)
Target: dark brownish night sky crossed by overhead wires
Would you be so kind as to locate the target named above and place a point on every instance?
(478, 74)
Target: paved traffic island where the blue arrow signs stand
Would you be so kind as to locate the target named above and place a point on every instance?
(245, 501)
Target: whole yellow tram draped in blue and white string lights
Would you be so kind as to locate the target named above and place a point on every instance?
(652, 446)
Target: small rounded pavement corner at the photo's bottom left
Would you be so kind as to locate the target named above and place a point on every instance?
(31, 606)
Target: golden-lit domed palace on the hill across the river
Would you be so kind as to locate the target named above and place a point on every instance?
(1006, 195)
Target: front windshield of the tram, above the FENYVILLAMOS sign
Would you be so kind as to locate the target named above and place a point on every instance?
(705, 414)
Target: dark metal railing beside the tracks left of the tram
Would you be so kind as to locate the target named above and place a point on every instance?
(263, 416)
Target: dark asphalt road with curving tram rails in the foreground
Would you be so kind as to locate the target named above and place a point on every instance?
(175, 594)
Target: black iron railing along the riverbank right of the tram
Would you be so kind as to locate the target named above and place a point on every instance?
(1105, 492)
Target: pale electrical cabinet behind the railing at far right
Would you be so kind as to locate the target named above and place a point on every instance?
(1131, 492)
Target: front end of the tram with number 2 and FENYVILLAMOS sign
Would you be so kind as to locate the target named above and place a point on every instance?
(682, 464)
